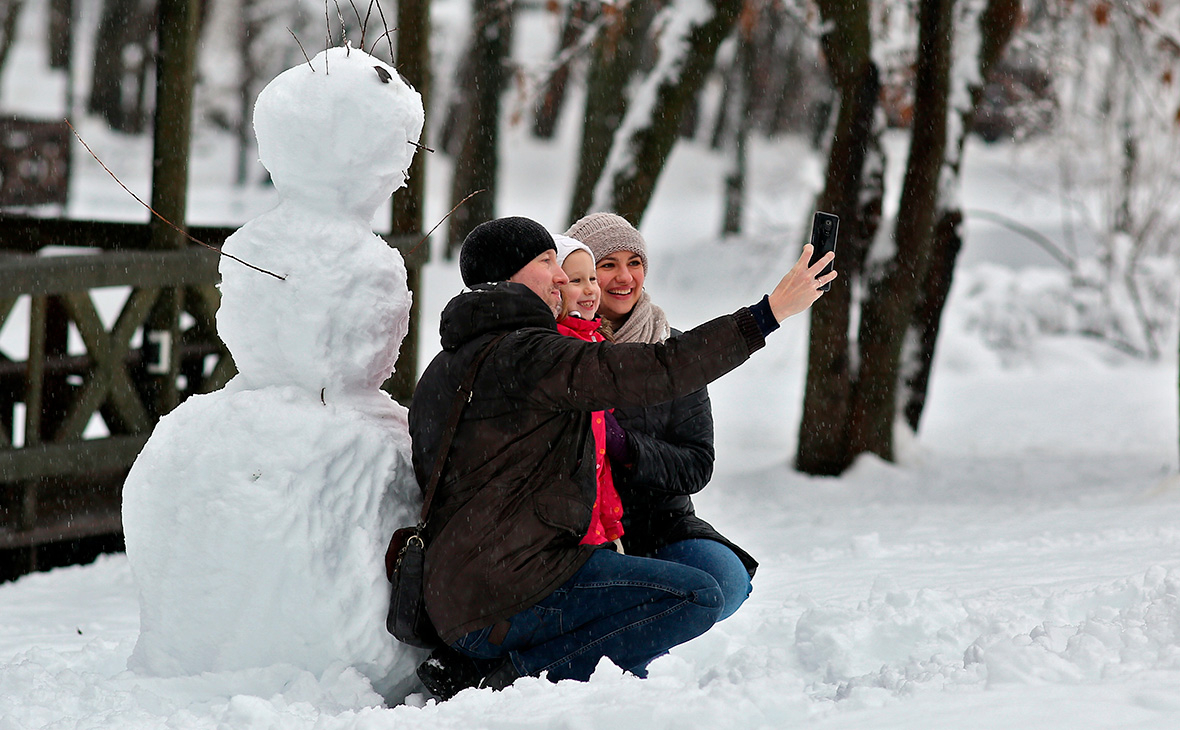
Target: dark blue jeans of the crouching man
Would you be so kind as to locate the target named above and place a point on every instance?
(624, 608)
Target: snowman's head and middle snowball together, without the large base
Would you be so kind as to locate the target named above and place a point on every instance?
(337, 141)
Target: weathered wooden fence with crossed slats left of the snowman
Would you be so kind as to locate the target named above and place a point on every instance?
(62, 481)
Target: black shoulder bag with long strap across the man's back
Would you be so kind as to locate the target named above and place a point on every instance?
(405, 558)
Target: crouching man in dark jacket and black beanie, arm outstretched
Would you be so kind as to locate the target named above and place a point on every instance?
(508, 584)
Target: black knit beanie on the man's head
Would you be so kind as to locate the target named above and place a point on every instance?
(496, 251)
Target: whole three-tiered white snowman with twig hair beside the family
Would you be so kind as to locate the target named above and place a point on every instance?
(257, 517)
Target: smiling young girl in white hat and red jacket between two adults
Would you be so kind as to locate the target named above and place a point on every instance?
(579, 319)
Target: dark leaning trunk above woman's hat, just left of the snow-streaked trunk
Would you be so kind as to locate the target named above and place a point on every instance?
(617, 58)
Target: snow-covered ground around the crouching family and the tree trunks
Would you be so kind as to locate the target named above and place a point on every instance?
(1020, 567)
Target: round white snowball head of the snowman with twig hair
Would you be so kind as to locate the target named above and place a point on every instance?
(338, 134)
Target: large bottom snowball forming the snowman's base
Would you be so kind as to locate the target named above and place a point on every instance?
(276, 555)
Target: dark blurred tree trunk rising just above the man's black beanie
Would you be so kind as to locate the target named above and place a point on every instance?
(478, 161)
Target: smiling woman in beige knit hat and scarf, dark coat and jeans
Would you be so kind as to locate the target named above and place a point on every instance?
(660, 455)
